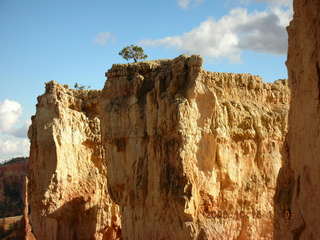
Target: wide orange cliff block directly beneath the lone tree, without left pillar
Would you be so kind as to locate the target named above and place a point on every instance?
(192, 154)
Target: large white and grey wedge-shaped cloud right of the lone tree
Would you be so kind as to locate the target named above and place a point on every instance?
(260, 31)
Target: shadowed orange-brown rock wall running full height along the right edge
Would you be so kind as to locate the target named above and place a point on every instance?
(298, 193)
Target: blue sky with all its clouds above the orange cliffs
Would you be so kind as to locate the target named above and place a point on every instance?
(78, 40)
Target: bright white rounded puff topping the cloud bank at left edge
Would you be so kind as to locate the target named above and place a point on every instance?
(10, 111)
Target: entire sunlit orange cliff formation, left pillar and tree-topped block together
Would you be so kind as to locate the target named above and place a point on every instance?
(169, 150)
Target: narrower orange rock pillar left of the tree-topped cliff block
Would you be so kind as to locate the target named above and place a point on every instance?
(68, 197)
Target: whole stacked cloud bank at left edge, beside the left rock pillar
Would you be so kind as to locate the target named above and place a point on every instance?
(13, 134)
